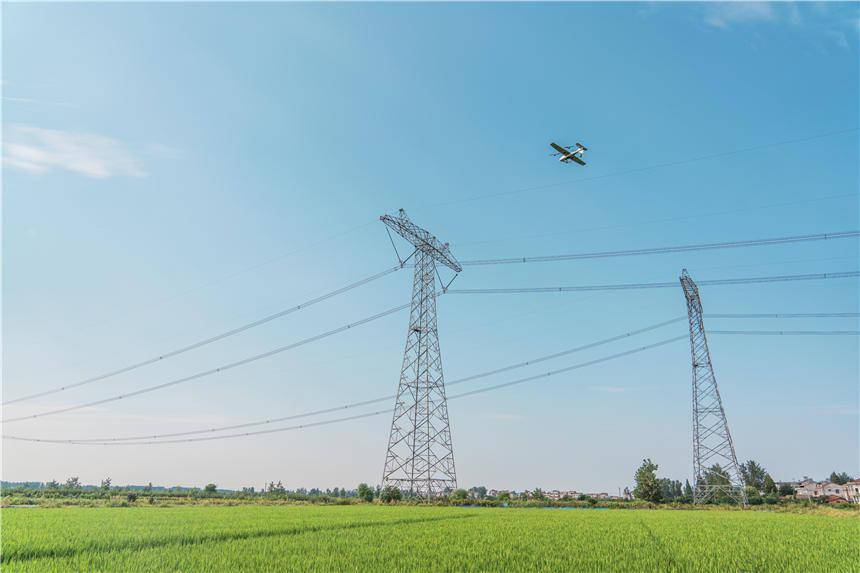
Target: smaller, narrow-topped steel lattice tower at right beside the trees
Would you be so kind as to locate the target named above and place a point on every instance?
(715, 466)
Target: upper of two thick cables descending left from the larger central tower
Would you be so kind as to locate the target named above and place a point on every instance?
(206, 341)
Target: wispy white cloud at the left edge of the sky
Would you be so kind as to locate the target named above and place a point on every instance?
(38, 150)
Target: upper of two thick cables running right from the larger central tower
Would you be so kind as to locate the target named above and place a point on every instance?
(669, 249)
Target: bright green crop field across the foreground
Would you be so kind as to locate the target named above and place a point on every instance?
(379, 538)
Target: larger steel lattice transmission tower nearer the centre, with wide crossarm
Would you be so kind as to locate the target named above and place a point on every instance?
(420, 458)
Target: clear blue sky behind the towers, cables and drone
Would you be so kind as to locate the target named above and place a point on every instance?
(172, 171)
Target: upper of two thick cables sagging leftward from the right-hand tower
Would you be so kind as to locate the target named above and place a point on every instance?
(390, 397)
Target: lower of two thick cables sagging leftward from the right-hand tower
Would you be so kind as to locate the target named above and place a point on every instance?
(357, 416)
